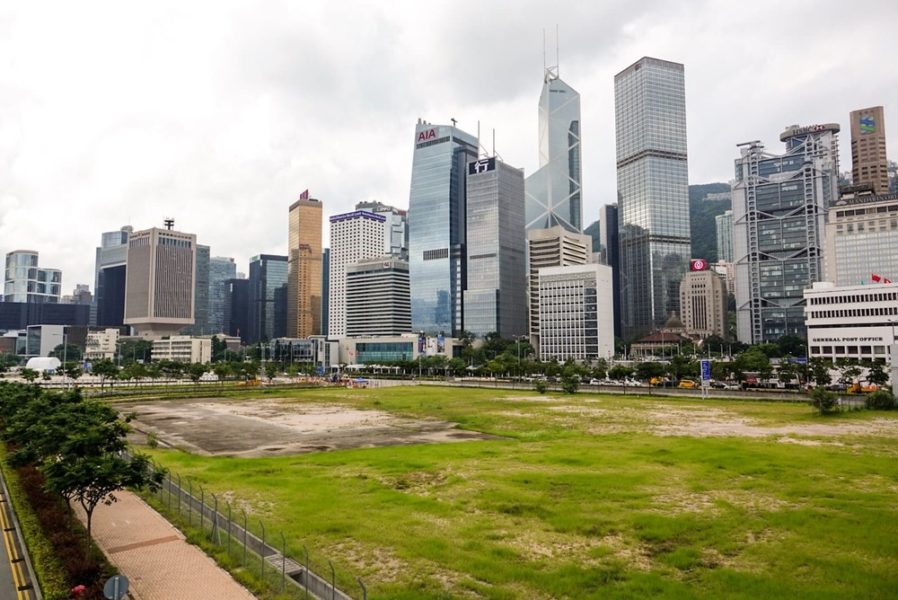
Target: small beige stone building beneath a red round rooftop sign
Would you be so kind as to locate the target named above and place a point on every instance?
(703, 304)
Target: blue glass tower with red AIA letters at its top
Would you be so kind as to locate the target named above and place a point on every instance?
(436, 218)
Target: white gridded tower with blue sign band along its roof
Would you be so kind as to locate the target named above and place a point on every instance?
(354, 236)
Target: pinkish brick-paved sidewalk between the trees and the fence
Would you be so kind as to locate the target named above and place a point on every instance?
(153, 555)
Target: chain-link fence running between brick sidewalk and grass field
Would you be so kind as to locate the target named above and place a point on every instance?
(229, 530)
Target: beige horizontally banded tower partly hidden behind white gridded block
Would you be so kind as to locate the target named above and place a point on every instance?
(553, 247)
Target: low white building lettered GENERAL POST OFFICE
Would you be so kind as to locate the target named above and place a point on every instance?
(857, 322)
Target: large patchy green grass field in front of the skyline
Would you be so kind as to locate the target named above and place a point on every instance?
(588, 496)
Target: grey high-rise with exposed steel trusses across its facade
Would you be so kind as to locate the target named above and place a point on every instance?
(779, 210)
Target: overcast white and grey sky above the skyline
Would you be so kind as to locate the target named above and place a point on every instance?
(220, 113)
